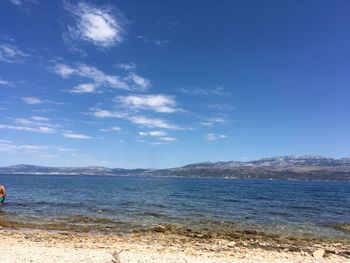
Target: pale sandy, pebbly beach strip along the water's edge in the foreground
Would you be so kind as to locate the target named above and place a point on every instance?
(50, 247)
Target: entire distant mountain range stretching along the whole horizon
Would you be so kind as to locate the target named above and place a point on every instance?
(283, 167)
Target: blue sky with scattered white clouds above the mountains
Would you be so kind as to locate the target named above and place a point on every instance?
(157, 84)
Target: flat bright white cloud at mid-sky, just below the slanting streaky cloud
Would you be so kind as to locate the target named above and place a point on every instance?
(157, 103)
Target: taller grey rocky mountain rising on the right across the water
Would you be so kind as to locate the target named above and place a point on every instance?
(283, 167)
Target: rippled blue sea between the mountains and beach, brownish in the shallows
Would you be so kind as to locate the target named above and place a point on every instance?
(124, 204)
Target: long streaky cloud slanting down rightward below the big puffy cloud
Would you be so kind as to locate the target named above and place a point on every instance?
(91, 73)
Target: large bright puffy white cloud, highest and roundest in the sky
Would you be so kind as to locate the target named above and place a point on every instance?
(99, 26)
